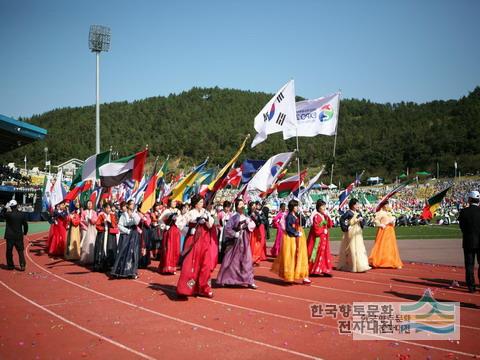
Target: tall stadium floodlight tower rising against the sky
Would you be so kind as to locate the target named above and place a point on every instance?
(98, 41)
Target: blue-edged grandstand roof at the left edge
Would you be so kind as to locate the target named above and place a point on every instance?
(15, 133)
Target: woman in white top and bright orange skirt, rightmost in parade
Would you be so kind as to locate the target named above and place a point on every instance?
(385, 252)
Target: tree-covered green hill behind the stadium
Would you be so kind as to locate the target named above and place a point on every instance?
(383, 139)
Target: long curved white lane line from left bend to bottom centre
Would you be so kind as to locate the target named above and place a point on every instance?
(174, 318)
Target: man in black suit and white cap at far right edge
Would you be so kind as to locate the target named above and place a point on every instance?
(469, 220)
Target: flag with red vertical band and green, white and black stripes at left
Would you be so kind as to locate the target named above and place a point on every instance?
(130, 167)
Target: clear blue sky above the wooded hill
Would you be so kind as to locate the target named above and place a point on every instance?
(384, 51)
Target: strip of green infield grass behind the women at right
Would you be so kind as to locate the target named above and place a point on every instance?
(403, 233)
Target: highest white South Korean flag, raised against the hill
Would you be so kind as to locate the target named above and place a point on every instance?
(277, 115)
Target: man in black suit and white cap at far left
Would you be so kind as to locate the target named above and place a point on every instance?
(15, 221)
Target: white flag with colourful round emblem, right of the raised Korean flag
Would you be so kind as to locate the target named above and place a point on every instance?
(315, 117)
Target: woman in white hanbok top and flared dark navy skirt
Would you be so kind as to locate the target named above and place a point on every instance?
(126, 263)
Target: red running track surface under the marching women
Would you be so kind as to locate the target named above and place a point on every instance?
(60, 310)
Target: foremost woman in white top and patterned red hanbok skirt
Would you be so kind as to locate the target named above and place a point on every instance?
(197, 259)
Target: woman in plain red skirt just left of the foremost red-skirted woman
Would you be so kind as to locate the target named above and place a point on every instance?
(170, 251)
